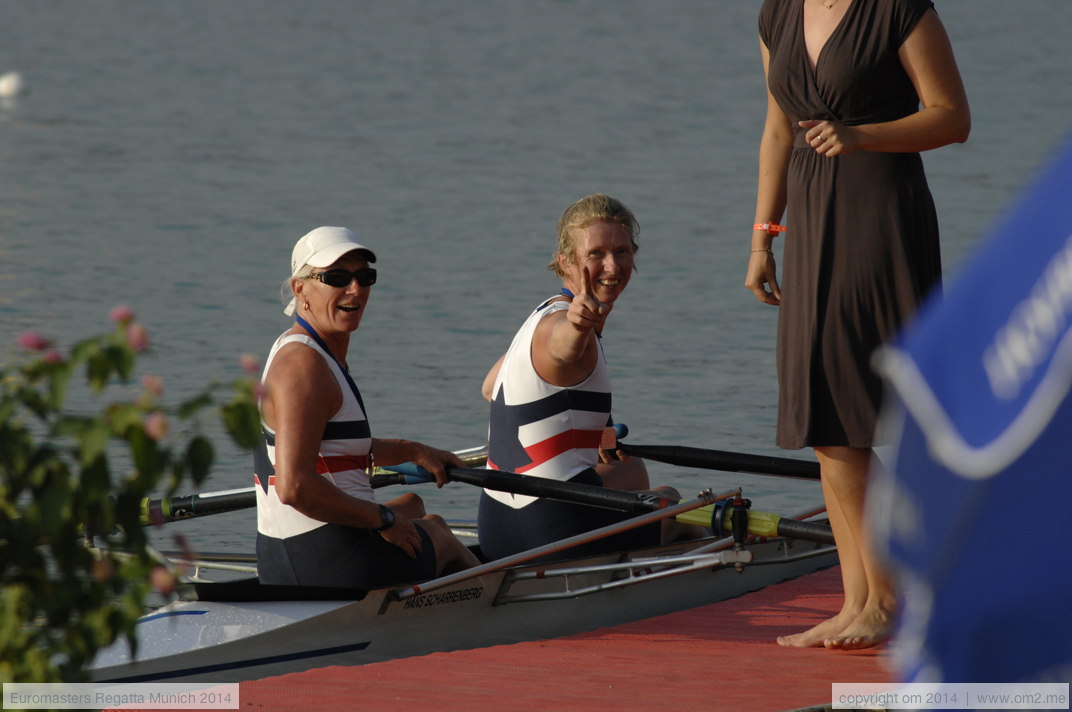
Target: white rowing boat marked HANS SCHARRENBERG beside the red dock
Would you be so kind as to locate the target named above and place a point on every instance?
(236, 631)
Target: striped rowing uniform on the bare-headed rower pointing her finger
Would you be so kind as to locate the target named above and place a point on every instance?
(543, 431)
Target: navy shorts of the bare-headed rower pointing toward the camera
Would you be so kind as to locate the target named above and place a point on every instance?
(505, 531)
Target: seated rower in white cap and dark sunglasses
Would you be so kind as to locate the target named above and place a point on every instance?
(318, 520)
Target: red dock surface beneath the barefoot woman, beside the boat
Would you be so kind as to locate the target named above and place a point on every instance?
(721, 658)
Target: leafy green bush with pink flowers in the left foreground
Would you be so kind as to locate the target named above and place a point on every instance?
(62, 491)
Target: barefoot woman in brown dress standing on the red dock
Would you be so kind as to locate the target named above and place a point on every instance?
(856, 91)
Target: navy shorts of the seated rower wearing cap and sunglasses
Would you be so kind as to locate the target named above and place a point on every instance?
(339, 556)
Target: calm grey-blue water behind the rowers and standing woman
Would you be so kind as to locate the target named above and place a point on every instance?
(169, 155)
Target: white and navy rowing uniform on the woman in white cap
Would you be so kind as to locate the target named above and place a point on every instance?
(296, 550)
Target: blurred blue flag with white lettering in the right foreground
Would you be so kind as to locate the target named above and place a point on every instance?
(974, 508)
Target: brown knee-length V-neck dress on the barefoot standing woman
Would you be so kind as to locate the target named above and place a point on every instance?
(862, 247)
